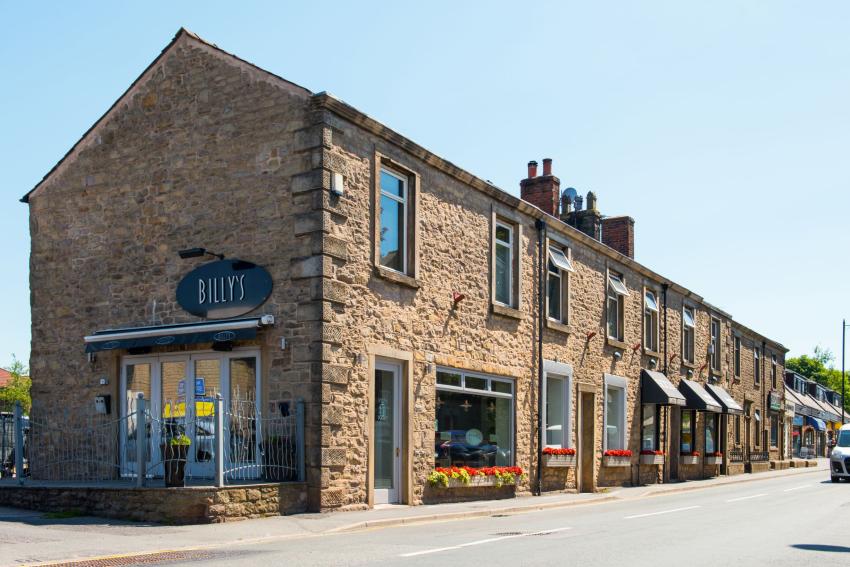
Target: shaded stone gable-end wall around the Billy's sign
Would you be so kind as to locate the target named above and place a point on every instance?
(204, 150)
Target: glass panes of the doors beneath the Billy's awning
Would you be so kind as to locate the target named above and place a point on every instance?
(180, 392)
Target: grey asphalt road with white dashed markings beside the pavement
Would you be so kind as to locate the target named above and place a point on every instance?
(782, 521)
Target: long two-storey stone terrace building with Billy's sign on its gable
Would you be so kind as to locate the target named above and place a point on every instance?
(426, 317)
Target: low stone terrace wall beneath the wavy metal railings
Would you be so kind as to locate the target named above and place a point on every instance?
(163, 505)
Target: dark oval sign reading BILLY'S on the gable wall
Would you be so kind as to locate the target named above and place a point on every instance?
(223, 289)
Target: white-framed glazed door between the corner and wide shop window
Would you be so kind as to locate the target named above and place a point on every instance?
(387, 438)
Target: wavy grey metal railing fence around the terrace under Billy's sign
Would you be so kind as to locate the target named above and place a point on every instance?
(213, 444)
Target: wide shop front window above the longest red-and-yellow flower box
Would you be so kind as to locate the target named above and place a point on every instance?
(474, 425)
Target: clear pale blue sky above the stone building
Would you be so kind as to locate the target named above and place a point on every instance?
(722, 128)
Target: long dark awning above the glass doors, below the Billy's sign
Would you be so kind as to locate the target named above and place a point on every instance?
(190, 333)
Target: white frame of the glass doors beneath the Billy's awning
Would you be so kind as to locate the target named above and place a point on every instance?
(156, 404)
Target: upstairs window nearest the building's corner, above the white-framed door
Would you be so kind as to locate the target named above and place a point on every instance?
(393, 220)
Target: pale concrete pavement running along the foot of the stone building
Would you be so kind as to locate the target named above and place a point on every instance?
(30, 537)
